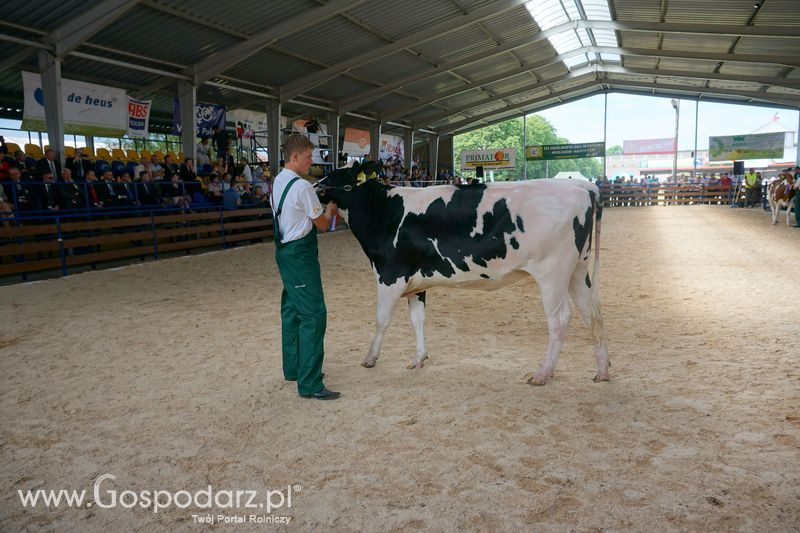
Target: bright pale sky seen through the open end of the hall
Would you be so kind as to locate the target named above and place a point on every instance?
(632, 117)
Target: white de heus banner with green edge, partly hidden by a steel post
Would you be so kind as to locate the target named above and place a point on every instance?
(89, 109)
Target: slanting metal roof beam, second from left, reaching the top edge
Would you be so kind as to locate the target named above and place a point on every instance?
(237, 53)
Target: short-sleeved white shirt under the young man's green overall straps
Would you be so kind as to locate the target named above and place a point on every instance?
(299, 208)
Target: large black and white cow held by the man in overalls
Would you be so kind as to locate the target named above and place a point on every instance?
(478, 237)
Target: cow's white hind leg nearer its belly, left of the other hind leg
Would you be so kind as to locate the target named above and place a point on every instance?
(554, 286)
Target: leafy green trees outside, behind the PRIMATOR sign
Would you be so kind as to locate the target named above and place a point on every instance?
(509, 134)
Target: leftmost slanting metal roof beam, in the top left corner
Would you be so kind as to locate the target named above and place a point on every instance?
(76, 30)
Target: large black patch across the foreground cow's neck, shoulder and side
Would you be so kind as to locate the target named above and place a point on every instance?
(436, 241)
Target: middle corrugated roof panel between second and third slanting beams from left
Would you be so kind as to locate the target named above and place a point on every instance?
(349, 39)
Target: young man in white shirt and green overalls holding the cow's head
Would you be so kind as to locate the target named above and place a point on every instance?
(297, 214)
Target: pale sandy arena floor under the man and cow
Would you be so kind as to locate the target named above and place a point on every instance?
(167, 375)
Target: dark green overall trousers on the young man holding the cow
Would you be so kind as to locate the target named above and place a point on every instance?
(303, 313)
